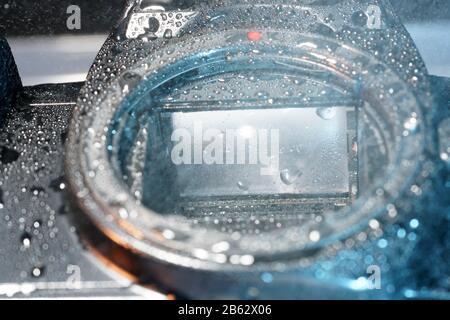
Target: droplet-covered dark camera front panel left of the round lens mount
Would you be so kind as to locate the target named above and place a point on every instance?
(41, 254)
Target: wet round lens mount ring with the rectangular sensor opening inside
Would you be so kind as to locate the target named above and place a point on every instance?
(226, 151)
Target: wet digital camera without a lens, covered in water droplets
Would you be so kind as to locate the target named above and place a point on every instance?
(263, 149)
